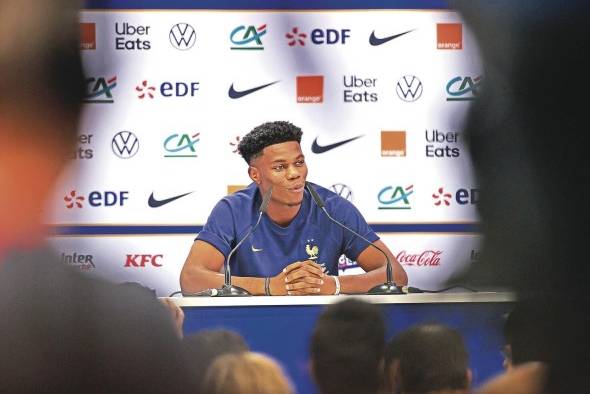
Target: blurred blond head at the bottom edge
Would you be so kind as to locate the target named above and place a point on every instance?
(246, 373)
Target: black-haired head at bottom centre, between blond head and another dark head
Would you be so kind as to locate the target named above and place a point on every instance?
(347, 348)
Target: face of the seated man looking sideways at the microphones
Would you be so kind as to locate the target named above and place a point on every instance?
(283, 167)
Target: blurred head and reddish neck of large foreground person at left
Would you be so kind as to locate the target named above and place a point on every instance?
(41, 88)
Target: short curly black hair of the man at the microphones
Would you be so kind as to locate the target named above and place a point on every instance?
(269, 133)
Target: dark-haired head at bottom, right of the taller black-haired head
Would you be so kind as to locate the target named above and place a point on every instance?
(427, 359)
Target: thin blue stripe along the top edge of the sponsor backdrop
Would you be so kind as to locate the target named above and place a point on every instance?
(266, 4)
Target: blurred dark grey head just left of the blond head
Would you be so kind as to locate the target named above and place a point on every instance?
(201, 349)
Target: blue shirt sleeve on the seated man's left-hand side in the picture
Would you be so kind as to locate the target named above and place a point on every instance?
(219, 229)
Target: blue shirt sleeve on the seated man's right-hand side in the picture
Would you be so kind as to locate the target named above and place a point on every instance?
(348, 214)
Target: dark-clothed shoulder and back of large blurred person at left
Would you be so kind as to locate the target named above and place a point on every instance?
(62, 332)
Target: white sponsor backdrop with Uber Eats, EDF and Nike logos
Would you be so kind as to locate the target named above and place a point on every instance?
(381, 96)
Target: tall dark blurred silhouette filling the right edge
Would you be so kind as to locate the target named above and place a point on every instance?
(527, 137)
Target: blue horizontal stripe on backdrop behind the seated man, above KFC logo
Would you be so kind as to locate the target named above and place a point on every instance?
(69, 230)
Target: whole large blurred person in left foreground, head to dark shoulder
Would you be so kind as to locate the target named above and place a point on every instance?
(61, 332)
